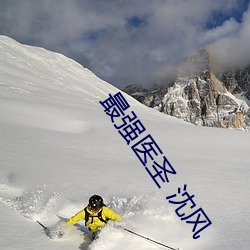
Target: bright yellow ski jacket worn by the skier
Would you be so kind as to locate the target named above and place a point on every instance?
(94, 223)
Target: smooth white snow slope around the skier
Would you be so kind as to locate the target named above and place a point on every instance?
(58, 147)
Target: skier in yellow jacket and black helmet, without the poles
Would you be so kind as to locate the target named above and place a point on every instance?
(95, 214)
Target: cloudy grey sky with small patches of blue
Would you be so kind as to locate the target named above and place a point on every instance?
(131, 41)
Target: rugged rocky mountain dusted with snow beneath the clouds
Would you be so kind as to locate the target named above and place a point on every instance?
(201, 96)
